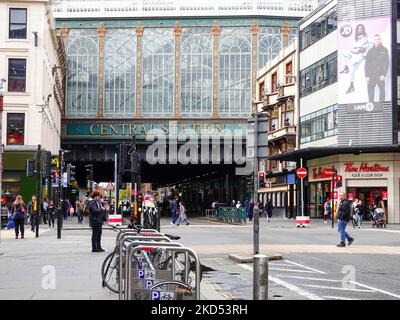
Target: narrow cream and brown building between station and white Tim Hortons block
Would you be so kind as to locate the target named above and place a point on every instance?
(277, 88)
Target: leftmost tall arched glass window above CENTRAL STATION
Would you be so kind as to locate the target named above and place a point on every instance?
(83, 65)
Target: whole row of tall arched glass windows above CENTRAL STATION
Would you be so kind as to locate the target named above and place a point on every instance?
(160, 72)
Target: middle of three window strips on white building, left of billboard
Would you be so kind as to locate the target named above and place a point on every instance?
(319, 75)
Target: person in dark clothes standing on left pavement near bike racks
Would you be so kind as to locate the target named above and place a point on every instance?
(96, 221)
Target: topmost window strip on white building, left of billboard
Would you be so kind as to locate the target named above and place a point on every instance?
(318, 29)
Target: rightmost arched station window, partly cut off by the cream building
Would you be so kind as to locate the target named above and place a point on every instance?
(269, 44)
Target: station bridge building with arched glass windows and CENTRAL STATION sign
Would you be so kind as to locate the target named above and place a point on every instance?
(167, 65)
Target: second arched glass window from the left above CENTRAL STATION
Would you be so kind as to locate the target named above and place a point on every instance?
(119, 70)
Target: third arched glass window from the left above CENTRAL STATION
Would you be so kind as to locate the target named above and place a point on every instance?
(158, 72)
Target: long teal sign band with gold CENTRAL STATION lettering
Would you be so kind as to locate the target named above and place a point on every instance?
(141, 130)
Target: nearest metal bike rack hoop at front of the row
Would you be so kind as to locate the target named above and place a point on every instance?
(174, 249)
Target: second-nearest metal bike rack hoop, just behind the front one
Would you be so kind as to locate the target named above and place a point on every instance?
(131, 249)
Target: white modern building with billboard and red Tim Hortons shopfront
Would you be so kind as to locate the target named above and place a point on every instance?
(349, 104)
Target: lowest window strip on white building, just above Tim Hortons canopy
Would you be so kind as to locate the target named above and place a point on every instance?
(318, 125)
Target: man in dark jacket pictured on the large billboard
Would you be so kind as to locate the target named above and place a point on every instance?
(376, 67)
